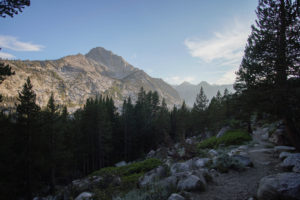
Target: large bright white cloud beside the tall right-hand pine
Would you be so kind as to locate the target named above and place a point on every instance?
(224, 49)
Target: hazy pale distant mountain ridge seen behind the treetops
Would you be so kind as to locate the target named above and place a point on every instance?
(188, 91)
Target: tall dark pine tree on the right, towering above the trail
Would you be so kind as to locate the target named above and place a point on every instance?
(270, 70)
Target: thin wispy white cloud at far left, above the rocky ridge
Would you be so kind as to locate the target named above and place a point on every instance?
(12, 43)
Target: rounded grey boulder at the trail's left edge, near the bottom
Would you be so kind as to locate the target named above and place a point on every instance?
(191, 183)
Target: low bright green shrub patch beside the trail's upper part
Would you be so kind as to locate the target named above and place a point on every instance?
(234, 137)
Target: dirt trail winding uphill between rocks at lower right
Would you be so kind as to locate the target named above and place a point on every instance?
(243, 185)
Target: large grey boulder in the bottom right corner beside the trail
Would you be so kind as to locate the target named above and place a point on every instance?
(283, 186)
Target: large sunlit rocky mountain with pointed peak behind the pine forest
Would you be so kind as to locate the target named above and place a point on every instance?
(73, 79)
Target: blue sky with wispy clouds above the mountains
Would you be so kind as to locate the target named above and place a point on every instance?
(176, 40)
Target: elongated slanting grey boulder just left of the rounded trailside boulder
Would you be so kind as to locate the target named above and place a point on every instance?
(153, 175)
